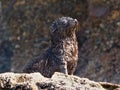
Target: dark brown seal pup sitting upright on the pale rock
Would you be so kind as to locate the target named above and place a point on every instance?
(62, 54)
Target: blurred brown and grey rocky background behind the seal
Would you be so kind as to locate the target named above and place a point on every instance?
(24, 33)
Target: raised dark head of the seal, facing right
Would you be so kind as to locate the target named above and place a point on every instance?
(64, 26)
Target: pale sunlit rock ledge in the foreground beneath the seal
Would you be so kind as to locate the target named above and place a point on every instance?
(59, 81)
